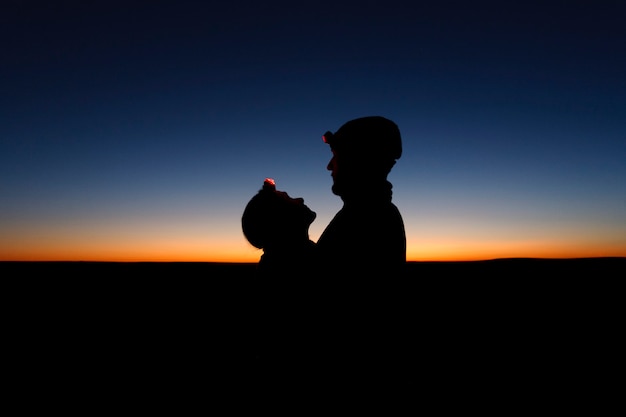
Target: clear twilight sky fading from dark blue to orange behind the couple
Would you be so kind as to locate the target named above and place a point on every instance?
(138, 130)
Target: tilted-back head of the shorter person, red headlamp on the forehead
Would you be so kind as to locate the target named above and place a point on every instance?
(272, 219)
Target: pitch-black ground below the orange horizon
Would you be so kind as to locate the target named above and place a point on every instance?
(506, 327)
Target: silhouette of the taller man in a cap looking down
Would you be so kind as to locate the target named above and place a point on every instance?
(367, 234)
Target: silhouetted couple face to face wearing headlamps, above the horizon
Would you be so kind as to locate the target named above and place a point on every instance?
(366, 236)
